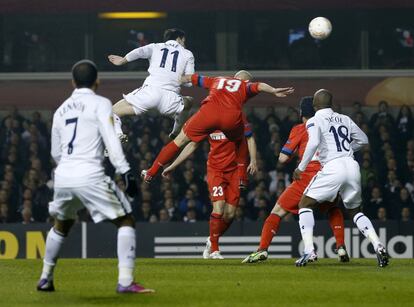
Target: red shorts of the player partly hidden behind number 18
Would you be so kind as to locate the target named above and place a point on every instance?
(290, 198)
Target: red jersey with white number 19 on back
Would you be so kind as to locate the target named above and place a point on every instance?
(228, 92)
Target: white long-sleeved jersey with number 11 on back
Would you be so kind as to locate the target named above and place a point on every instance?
(168, 62)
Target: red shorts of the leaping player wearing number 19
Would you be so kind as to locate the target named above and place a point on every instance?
(210, 118)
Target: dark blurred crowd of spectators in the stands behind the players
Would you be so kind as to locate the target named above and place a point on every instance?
(387, 168)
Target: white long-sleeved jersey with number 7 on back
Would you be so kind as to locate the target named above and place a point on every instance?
(82, 126)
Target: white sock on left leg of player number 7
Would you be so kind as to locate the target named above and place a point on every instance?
(54, 243)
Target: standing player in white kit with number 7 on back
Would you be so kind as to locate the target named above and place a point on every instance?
(82, 126)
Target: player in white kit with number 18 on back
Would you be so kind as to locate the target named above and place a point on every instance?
(336, 137)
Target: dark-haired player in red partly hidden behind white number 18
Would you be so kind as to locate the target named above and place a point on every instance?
(289, 200)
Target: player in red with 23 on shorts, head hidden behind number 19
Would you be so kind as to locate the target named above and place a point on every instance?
(223, 178)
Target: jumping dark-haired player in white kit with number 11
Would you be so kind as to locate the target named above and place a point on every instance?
(168, 62)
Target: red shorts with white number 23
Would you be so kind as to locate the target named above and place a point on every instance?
(224, 186)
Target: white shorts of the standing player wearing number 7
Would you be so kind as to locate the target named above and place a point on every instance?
(103, 199)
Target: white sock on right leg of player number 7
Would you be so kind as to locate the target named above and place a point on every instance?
(126, 255)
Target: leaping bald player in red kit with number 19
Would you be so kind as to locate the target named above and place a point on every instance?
(221, 110)
